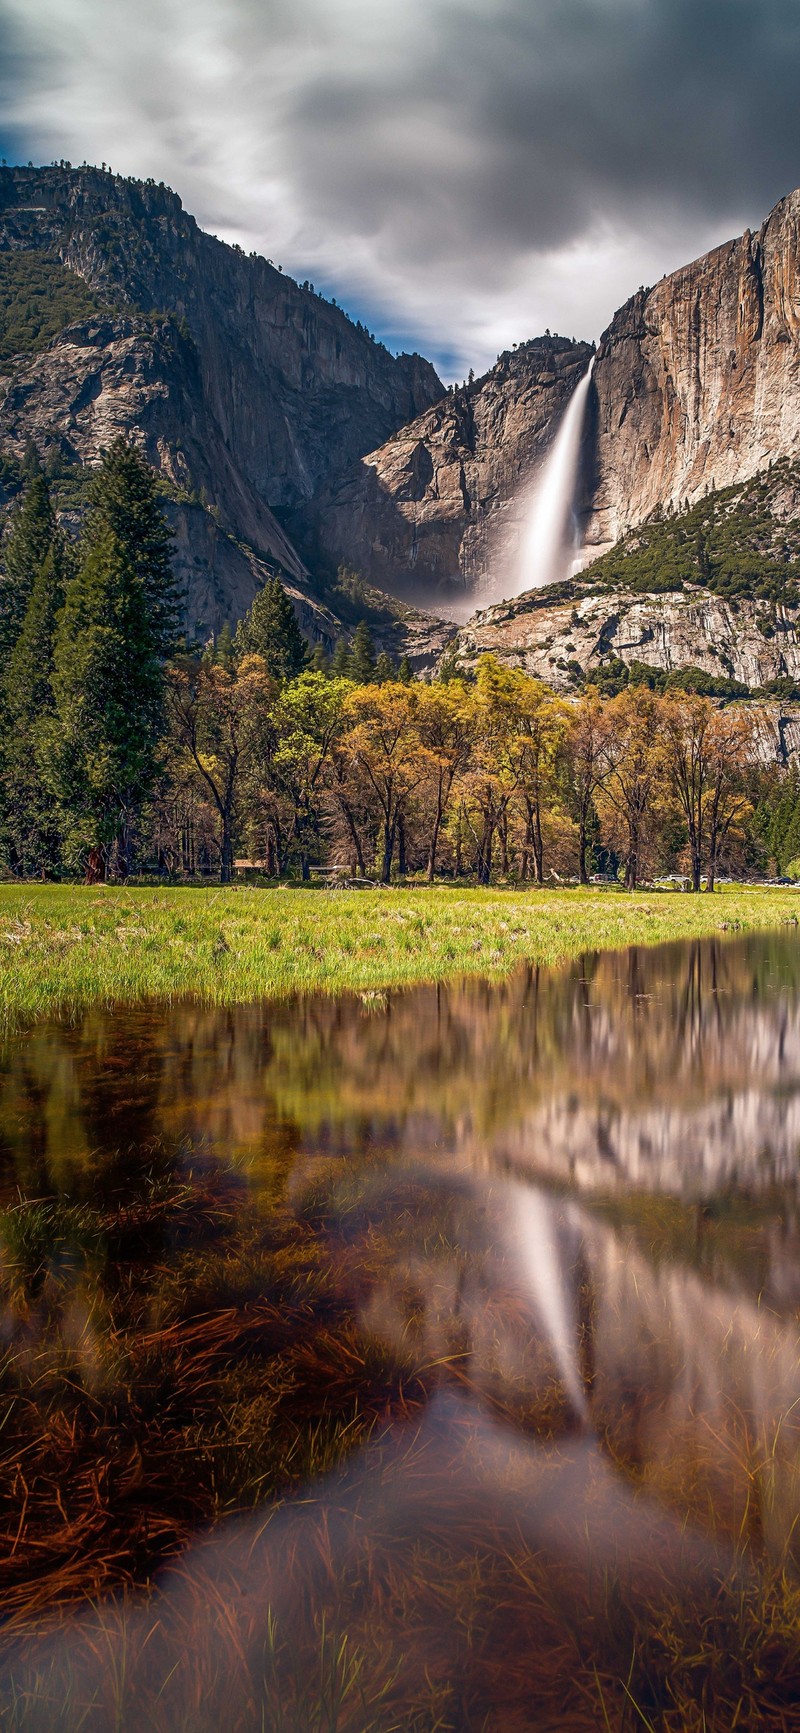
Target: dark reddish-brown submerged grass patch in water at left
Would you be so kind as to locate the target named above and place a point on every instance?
(202, 1366)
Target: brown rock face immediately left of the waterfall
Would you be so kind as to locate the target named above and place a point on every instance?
(437, 510)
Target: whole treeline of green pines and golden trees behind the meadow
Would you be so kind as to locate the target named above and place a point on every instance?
(127, 751)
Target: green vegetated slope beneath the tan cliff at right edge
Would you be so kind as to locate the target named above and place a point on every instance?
(733, 543)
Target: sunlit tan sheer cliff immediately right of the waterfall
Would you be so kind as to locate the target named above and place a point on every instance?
(697, 382)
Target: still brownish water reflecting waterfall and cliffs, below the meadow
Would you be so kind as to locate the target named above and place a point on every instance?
(501, 1280)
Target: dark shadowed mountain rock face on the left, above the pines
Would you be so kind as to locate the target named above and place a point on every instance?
(245, 389)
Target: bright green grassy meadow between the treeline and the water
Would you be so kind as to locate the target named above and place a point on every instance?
(74, 945)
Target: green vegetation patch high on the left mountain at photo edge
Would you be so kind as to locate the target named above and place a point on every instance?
(39, 297)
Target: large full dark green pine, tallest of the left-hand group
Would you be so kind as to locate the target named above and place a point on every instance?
(119, 620)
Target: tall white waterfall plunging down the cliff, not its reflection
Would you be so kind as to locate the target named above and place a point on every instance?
(550, 545)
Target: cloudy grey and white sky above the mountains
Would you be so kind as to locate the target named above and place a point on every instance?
(458, 172)
